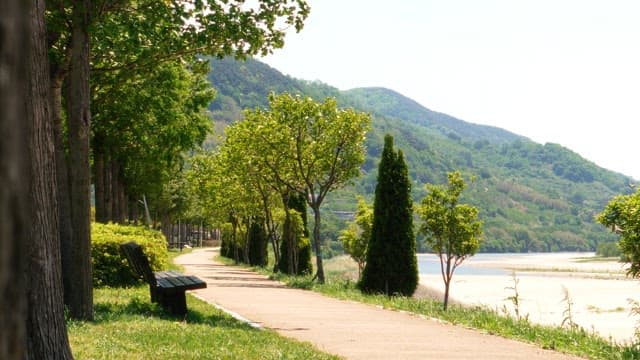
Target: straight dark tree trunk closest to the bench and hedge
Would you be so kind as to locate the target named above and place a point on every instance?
(79, 122)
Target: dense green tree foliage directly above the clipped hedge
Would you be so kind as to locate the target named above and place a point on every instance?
(143, 128)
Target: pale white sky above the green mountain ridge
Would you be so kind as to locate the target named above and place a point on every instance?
(562, 71)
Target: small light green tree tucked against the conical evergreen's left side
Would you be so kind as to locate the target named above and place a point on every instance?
(355, 238)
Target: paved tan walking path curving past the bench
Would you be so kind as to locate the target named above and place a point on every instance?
(349, 329)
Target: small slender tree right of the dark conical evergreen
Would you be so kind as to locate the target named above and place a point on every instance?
(452, 229)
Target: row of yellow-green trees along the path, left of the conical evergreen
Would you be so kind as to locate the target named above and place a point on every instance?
(276, 160)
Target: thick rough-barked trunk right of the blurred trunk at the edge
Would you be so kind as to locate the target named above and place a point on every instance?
(46, 331)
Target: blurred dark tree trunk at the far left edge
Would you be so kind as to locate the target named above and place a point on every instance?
(14, 189)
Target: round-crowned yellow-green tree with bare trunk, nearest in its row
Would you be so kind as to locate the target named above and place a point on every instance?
(321, 147)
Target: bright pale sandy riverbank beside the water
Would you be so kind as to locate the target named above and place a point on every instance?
(599, 291)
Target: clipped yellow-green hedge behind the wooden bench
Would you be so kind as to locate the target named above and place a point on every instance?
(110, 267)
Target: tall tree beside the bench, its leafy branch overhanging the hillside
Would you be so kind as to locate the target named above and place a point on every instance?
(133, 36)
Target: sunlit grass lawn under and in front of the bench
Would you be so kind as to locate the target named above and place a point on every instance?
(128, 326)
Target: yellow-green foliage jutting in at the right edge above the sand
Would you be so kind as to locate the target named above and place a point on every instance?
(622, 215)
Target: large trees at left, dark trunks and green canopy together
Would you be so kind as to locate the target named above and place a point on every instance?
(131, 48)
